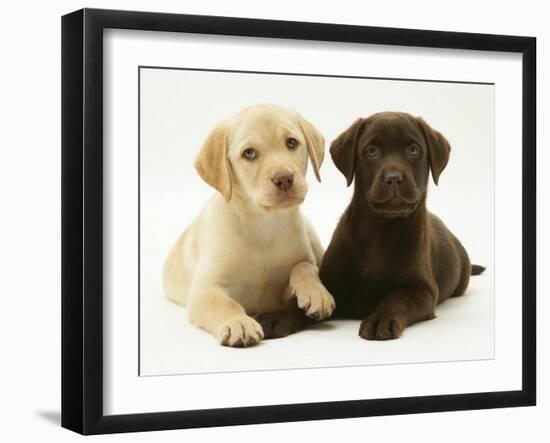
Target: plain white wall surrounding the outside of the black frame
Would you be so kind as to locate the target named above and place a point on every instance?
(30, 183)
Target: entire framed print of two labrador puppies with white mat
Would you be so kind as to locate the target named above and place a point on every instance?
(269, 221)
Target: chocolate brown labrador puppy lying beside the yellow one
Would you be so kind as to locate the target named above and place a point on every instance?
(390, 261)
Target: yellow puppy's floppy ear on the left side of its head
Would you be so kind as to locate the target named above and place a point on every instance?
(212, 162)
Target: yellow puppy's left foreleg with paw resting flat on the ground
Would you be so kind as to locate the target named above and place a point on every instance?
(211, 309)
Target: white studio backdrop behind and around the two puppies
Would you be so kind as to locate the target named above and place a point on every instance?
(178, 110)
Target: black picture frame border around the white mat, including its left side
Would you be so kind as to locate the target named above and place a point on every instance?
(82, 220)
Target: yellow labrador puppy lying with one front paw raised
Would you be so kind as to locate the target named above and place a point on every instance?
(250, 252)
